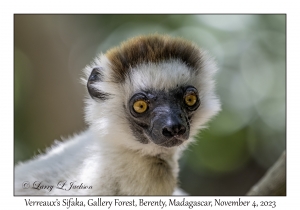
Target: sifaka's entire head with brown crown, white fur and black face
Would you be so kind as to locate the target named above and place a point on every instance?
(156, 89)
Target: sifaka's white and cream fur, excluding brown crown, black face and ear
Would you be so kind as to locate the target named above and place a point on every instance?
(107, 156)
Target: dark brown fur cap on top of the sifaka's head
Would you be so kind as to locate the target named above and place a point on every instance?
(152, 48)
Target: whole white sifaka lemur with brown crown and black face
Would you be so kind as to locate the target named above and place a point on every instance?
(147, 99)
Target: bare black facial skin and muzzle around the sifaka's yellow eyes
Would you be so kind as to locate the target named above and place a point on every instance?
(166, 122)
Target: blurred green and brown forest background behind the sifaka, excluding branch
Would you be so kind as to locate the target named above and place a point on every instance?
(241, 143)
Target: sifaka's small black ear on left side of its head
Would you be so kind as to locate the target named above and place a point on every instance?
(96, 76)
